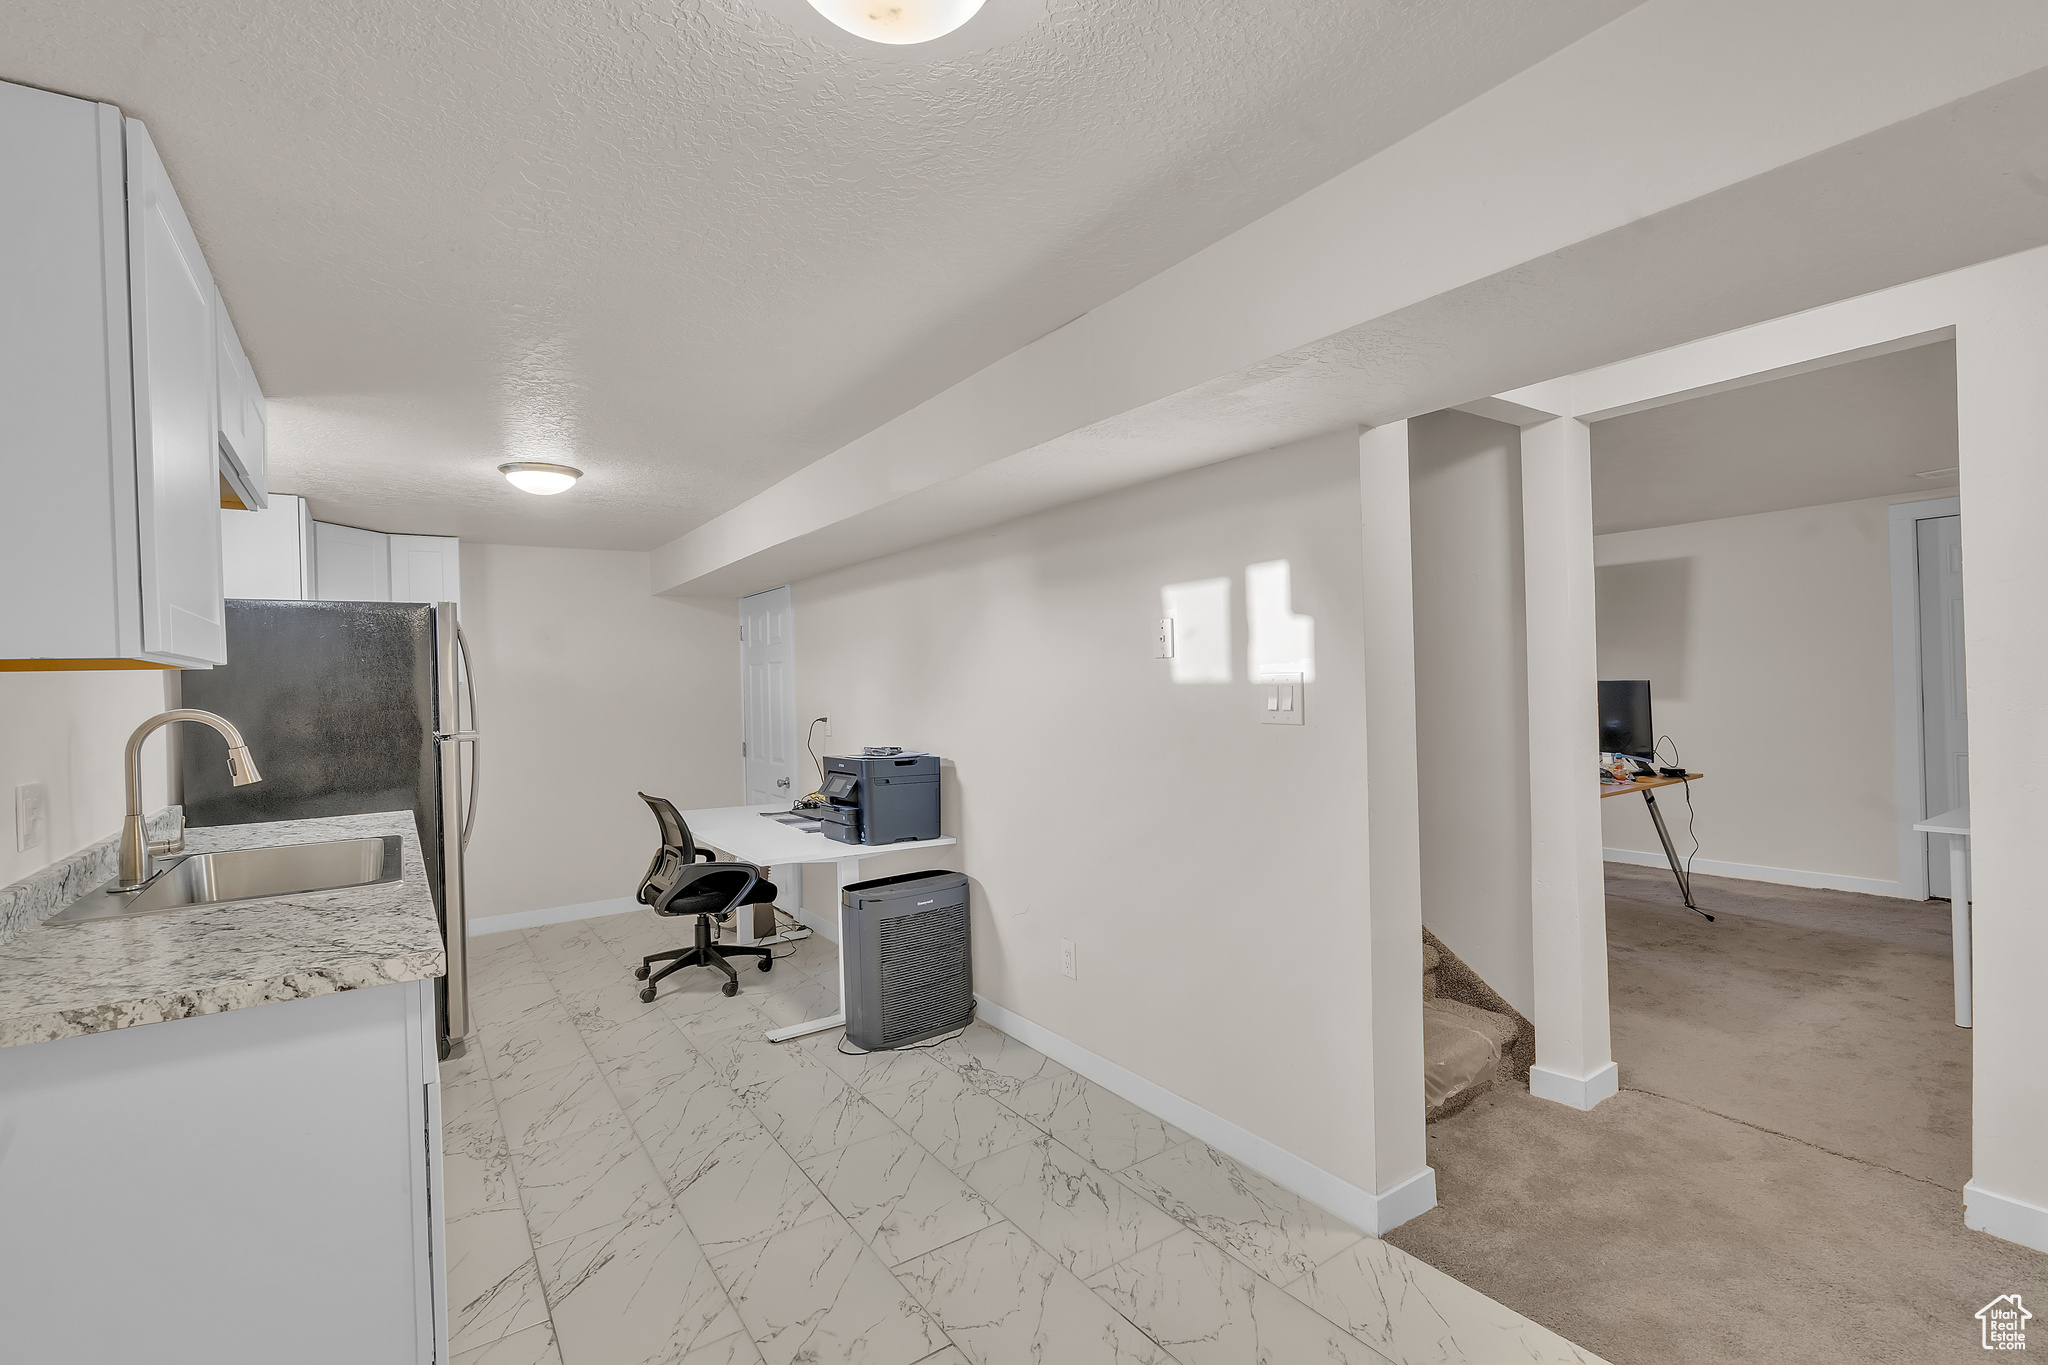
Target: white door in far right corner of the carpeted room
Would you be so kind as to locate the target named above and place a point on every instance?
(1945, 717)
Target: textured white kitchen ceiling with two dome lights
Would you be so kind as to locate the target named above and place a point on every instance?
(693, 247)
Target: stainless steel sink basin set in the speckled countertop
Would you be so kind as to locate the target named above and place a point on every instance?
(245, 875)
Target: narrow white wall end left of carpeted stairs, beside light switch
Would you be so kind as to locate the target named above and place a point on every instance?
(1404, 1184)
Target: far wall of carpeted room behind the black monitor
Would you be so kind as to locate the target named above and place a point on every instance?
(1768, 644)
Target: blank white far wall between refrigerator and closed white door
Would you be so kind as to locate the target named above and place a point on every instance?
(589, 691)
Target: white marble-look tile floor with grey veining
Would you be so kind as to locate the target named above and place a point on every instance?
(660, 1186)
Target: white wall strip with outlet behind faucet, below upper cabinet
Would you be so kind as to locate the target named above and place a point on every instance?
(69, 732)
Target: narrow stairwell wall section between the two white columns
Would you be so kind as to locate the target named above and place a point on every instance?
(1471, 695)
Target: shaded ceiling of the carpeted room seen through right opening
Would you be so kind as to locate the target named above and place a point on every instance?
(1838, 435)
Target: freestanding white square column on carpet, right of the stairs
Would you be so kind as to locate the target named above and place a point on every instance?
(1568, 899)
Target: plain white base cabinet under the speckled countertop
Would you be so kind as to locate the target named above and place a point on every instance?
(230, 1190)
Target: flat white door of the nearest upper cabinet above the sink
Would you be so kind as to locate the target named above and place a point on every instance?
(177, 464)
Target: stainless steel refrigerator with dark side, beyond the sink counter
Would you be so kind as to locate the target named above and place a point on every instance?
(349, 707)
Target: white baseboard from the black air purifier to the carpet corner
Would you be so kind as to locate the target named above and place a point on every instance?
(1375, 1213)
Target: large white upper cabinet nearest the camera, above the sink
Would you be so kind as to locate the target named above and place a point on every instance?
(110, 429)
